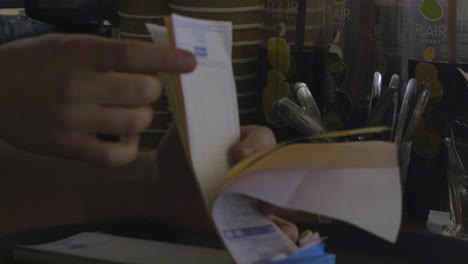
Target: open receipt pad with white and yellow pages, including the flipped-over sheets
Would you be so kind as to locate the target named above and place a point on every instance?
(205, 109)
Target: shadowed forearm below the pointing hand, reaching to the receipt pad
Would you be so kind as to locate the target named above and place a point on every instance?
(40, 191)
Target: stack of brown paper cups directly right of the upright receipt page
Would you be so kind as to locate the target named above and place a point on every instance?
(247, 23)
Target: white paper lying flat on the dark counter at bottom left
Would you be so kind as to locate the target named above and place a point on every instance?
(94, 247)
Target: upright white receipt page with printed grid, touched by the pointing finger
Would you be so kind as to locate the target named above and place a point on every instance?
(210, 100)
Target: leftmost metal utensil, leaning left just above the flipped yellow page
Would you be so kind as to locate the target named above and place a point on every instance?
(297, 117)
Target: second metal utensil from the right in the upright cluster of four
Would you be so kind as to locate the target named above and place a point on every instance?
(409, 100)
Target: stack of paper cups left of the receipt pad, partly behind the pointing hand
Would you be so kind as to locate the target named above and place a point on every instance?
(134, 14)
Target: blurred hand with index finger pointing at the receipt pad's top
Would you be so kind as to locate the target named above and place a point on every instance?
(59, 92)
